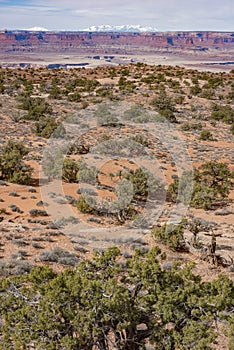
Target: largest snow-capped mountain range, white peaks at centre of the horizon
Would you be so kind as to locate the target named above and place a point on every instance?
(121, 28)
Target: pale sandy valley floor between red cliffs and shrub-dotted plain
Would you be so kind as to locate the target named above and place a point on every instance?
(201, 62)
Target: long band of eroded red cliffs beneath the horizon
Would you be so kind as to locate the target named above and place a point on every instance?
(122, 42)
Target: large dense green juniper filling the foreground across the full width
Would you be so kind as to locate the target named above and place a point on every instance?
(79, 308)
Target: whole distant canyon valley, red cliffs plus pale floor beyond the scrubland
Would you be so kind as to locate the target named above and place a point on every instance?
(33, 48)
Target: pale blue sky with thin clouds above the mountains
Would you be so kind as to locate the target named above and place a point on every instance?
(165, 15)
